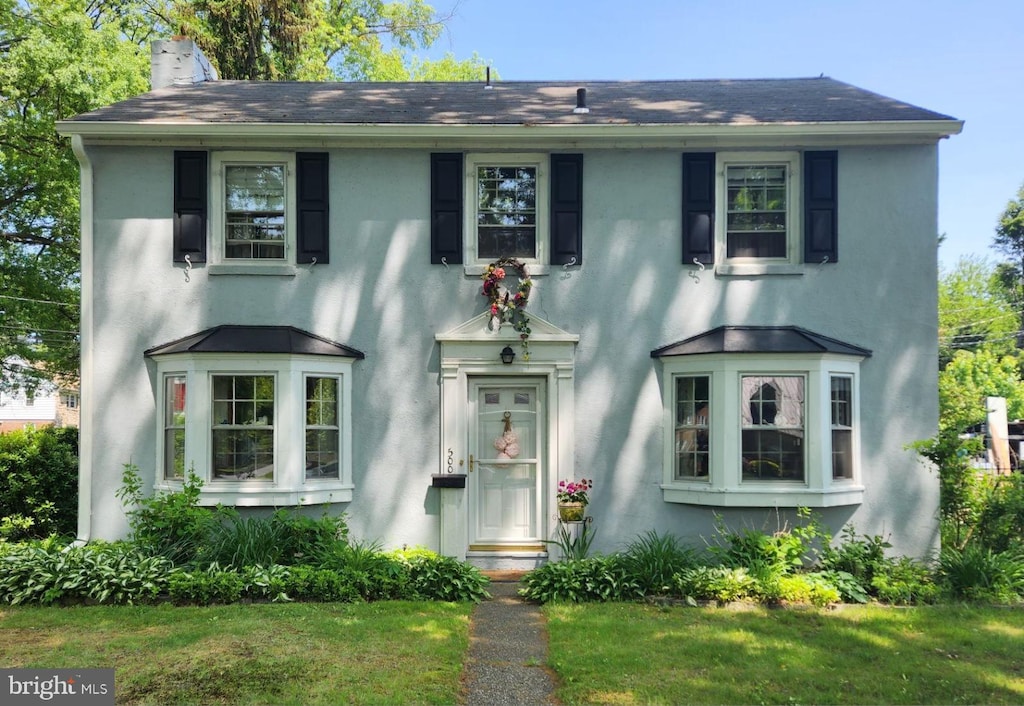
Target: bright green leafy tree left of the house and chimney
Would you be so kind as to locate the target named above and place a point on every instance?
(57, 61)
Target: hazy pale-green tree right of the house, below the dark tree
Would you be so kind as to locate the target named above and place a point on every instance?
(974, 311)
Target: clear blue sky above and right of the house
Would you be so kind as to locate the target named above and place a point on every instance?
(964, 59)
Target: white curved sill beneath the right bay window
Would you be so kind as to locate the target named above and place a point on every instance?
(766, 497)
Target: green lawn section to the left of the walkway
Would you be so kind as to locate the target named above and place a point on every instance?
(387, 653)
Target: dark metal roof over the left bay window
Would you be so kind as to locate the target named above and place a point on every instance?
(259, 340)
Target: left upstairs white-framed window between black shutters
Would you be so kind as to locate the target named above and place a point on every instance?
(253, 215)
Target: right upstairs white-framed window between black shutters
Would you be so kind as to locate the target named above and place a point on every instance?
(759, 209)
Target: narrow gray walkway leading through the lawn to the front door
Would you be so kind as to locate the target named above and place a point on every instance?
(508, 650)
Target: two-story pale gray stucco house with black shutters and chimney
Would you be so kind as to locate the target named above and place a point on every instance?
(731, 289)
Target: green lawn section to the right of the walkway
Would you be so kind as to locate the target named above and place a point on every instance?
(634, 654)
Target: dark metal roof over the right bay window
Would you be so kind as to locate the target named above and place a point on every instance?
(759, 340)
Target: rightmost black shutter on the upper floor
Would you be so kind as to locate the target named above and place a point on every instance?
(821, 207)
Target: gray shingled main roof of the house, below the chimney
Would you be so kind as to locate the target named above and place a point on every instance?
(515, 103)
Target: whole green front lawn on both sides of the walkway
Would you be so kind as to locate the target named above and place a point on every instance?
(396, 653)
